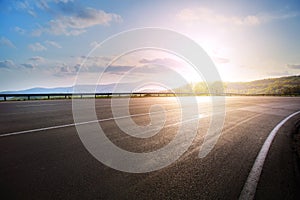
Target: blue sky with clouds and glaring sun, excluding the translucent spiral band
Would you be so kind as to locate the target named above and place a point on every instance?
(44, 43)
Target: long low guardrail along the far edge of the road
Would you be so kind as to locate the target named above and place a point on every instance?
(5, 97)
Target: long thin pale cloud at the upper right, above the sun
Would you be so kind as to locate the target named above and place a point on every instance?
(202, 14)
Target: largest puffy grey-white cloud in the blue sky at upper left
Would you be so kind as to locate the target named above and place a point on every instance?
(78, 22)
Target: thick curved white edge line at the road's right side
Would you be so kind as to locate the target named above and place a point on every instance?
(248, 192)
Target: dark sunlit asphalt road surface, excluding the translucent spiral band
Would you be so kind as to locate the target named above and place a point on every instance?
(46, 159)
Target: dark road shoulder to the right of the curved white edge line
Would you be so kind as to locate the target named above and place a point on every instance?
(280, 177)
